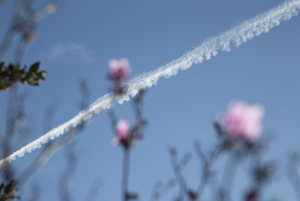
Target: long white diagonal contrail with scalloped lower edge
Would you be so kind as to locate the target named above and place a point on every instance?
(262, 23)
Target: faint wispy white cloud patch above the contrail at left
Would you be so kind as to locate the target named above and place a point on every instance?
(71, 53)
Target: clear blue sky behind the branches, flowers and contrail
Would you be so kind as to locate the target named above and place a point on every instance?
(76, 43)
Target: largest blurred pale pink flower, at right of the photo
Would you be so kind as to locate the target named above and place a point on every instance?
(242, 120)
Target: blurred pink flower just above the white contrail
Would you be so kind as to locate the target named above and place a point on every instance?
(119, 70)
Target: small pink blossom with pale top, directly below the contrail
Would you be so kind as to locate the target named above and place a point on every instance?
(122, 131)
